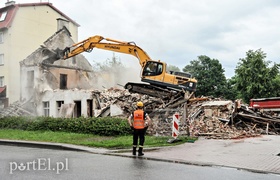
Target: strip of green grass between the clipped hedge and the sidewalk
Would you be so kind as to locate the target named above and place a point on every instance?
(109, 142)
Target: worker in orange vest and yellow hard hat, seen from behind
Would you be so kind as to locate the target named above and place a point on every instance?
(141, 121)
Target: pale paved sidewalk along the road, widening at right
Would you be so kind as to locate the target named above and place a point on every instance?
(260, 154)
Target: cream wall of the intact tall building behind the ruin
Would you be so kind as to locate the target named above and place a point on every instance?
(31, 26)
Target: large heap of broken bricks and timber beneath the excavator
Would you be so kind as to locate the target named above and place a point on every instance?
(204, 116)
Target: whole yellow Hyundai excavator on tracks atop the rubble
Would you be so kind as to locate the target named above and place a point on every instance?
(157, 82)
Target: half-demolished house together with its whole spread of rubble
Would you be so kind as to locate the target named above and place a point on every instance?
(66, 88)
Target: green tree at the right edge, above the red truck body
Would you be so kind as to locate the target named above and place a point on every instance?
(254, 77)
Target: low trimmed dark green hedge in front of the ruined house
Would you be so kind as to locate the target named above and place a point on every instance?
(106, 126)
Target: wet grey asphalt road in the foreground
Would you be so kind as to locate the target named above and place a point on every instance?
(35, 163)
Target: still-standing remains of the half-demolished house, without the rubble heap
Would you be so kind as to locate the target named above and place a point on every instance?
(48, 86)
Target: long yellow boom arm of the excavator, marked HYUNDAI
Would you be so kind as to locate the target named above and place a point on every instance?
(110, 45)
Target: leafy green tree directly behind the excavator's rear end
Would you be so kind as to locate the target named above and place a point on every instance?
(210, 76)
